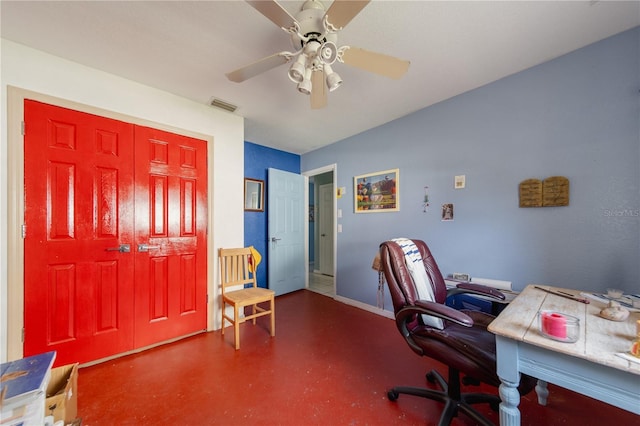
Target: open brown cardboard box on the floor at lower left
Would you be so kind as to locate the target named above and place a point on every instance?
(62, 394)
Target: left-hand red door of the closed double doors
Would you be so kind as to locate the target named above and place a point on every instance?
(78, 210)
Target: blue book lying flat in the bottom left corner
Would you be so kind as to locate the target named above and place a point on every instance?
(25, 378)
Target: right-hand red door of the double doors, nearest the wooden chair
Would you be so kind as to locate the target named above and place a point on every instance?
(171, 272)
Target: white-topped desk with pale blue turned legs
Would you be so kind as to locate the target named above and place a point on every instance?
(589, 366)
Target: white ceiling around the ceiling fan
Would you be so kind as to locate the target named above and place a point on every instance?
(186, 47)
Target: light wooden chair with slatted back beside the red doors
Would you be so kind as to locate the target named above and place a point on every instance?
(239, 289)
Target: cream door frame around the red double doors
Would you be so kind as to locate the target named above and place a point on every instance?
(15, 208)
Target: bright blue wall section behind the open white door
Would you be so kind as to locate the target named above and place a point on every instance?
(257, 159)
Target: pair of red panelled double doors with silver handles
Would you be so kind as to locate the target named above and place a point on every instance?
(115, 235)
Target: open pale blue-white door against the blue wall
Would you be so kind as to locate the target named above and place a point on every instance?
(286, 231)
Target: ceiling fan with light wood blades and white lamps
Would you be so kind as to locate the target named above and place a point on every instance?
(314, 35)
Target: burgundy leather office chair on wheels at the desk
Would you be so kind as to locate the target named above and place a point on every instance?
(464, 344)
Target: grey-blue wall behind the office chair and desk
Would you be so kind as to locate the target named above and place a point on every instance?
(576, 116)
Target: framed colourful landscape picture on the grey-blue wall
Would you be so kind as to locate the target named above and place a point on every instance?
(377, 192)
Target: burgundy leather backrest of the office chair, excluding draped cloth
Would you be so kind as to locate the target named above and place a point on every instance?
(401, 286)
